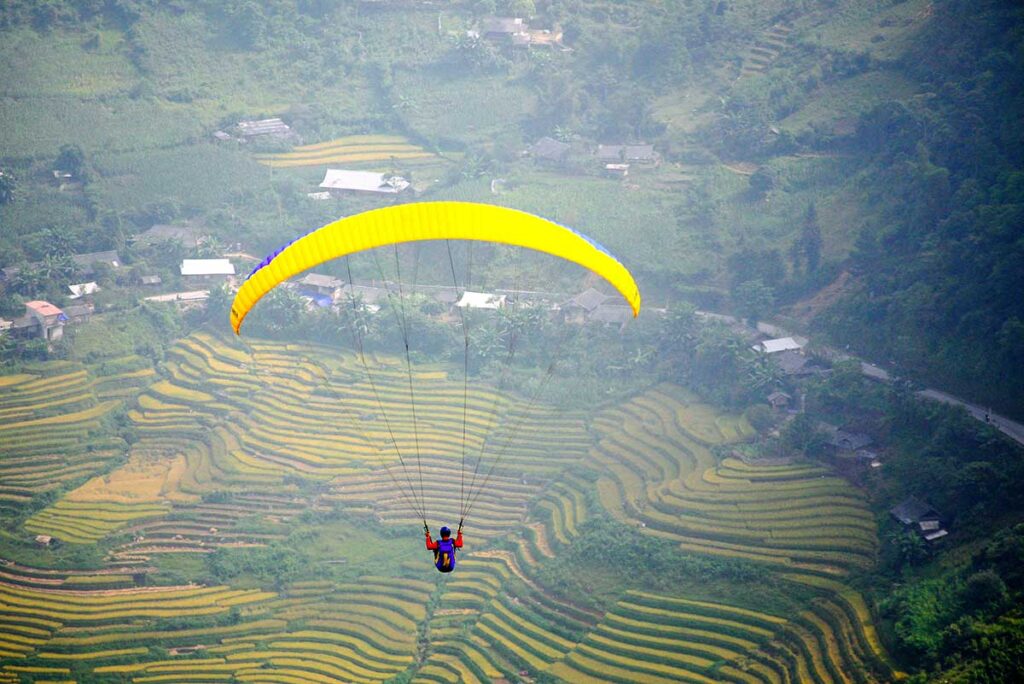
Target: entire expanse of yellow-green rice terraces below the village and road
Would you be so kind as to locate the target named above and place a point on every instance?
(236, 421)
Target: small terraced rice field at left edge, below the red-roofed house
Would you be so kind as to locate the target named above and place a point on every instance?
(51, 429)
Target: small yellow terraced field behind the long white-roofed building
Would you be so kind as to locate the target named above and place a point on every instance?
(354, 150)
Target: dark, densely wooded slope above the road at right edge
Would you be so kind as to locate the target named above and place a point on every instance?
(941, 277)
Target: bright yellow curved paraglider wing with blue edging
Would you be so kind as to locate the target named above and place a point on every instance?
(431, 221)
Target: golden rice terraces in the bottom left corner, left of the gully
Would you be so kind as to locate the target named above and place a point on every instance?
(317, 631)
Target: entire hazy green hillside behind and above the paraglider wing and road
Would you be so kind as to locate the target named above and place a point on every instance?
(876, 146)
